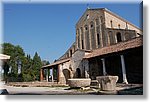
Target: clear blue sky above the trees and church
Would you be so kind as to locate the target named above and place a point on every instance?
(49, 28)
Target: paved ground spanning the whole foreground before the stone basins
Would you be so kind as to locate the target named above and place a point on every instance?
(122, 89)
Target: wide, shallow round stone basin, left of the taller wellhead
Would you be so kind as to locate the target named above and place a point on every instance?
(79, 82)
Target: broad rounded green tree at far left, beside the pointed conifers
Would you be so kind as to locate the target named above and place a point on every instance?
(17, 54)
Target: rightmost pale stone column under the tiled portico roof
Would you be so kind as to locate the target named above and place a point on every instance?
(123, 70)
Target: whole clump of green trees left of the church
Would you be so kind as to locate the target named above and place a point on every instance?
(30, 68)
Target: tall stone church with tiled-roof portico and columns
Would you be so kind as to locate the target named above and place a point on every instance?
(106, 44)
